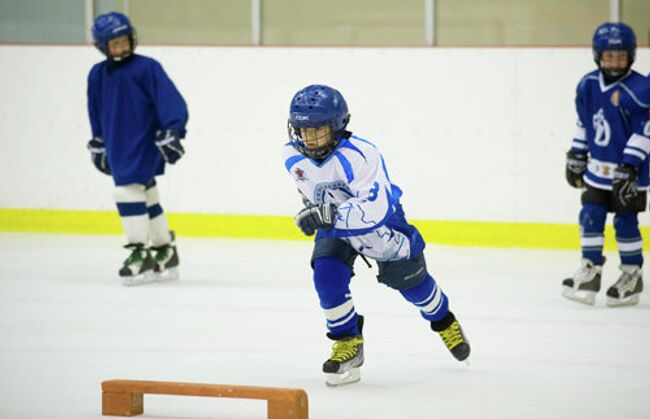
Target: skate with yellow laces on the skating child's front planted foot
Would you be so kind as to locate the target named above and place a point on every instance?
(342, 367)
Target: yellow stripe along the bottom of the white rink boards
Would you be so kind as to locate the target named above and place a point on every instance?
(456, 233)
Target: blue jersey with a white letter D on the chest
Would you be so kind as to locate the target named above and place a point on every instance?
(613, 127)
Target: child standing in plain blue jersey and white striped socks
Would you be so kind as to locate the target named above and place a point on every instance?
(137, 118)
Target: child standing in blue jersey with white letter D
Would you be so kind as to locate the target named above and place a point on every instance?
(609, 160)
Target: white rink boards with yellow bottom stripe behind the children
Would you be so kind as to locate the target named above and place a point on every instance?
(475, 137)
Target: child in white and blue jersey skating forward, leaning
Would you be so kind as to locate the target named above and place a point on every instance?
(354, 209)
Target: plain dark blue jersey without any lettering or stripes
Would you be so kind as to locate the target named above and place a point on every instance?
(127, 105)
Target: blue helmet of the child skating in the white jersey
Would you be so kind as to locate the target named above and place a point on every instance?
(317, 106)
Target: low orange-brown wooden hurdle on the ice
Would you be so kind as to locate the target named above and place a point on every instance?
(125, 397)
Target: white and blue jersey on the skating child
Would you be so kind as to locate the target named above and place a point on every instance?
(355, 179)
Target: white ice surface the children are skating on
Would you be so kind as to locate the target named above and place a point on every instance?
(244, 312)
